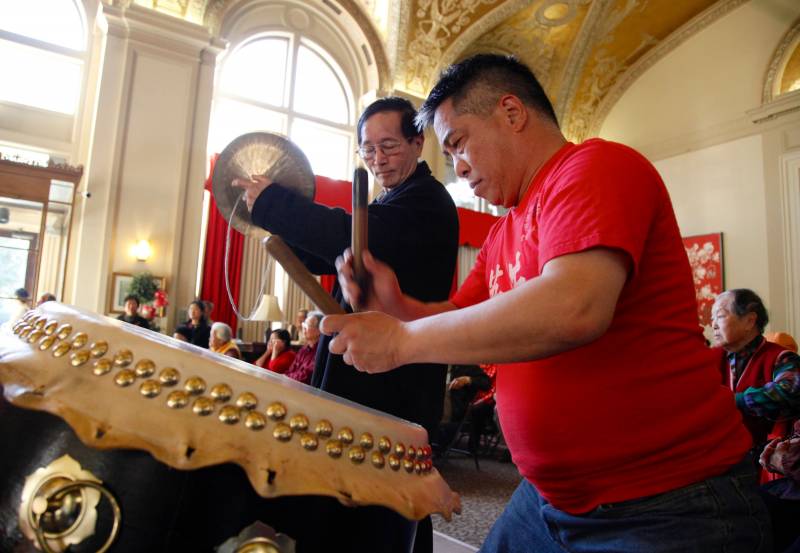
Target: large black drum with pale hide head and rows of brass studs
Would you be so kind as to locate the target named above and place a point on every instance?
(111, 431)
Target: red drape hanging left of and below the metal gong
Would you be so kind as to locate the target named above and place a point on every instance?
(213, 288)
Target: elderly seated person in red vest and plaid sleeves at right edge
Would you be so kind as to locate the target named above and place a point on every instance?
(765, 377)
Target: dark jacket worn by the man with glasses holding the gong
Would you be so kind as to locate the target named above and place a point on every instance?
(414, 229)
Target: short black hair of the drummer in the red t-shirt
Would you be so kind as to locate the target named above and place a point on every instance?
(477, 83)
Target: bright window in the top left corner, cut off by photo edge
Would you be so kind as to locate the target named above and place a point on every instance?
(42, 49)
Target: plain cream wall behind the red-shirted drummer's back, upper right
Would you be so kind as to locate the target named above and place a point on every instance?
(697, 113)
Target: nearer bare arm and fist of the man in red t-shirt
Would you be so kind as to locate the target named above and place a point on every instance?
(570, 304)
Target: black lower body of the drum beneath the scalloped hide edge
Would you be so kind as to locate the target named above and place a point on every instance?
(165, 509)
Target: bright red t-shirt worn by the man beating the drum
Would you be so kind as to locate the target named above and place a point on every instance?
(641, 410)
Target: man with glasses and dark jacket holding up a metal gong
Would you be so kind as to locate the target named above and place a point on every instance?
(413, 227)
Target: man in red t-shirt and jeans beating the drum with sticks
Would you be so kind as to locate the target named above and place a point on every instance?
(610, 403)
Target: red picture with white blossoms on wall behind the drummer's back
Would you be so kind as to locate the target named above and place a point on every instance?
(708, 272)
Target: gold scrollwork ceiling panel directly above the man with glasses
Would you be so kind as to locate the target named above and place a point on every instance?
(437, 22)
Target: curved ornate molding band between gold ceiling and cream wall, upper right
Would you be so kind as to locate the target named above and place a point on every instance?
(645, 62)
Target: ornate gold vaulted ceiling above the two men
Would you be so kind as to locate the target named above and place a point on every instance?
(585, 52)
